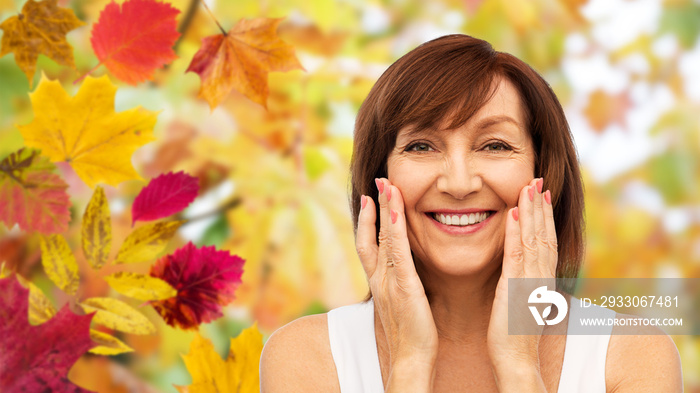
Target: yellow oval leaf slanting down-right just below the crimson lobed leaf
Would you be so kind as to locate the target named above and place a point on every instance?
(117, 315)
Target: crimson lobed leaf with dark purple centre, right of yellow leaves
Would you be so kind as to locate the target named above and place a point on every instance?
(205, 279)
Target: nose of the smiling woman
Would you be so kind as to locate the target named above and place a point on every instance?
(459, 177)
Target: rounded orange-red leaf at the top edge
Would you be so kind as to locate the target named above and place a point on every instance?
(135, 39)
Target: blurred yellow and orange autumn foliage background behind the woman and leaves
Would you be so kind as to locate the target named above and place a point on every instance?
(274, 182)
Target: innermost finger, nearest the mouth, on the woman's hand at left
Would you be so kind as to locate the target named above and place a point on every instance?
(399, 250)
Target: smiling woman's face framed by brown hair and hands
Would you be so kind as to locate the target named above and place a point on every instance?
(472, 172)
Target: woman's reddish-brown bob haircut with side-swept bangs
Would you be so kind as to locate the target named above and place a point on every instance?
(451, 78)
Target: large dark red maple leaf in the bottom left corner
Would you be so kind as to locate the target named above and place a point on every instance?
(37, 358)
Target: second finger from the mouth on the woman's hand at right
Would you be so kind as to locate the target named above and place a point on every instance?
(526, 210)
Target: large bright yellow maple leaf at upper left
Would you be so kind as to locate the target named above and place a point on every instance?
(86, 132)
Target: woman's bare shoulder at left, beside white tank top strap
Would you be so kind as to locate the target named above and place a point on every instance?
(297, 358)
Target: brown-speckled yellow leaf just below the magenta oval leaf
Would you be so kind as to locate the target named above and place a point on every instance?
(146, 242)
